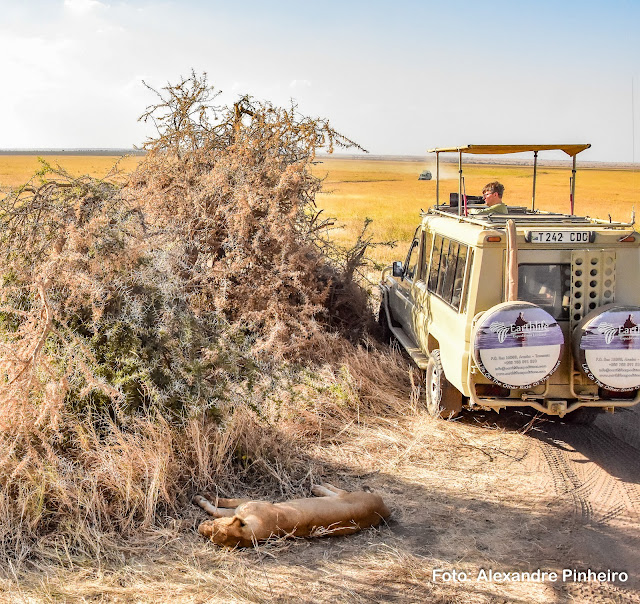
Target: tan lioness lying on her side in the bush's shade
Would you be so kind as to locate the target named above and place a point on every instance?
(242, 522)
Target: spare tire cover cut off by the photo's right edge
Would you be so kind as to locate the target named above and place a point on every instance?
(607, 347)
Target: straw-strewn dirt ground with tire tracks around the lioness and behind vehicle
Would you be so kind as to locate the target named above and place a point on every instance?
(483, 494)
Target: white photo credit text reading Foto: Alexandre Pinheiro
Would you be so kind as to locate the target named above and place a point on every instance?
(566, 575)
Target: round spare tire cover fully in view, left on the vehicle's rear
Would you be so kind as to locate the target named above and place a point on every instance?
(517, 344)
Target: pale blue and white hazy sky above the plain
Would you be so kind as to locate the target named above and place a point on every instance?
(399, 77)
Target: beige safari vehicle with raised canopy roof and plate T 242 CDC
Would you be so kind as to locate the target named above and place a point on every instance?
(529, 308)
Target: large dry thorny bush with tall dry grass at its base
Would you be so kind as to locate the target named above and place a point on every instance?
(188, 326)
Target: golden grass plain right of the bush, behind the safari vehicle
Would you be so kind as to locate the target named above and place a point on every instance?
(390, 193)
